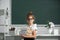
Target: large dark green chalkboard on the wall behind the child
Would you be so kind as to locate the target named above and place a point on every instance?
(44, 11)
